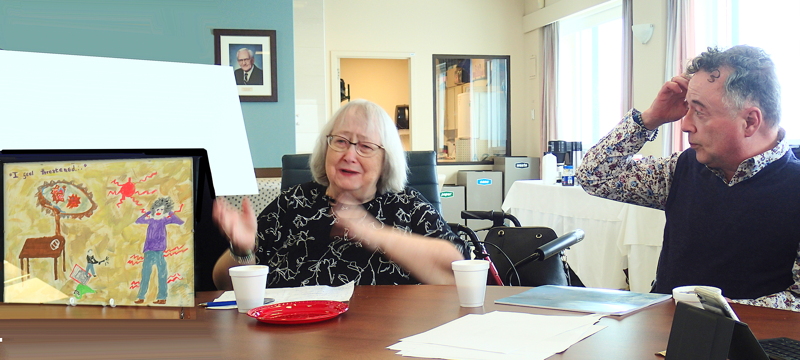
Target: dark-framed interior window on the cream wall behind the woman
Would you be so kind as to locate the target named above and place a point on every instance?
(471, 108)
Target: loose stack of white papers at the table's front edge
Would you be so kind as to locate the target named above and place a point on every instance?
(500, 335)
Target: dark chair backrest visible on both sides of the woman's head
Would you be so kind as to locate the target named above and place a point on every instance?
(421, 165)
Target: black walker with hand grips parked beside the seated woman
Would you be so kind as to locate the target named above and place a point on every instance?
(522, 255)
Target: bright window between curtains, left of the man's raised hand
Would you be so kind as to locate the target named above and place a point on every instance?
(589, 78)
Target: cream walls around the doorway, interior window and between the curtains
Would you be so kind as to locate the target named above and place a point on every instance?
(420, 28)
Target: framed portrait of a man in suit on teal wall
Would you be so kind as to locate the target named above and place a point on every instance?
(252, 55)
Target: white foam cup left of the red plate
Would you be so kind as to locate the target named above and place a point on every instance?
(249, 282)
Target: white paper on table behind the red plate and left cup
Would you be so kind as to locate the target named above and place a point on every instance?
(302, 293)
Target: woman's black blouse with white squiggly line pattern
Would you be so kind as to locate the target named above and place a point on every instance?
(294, 238)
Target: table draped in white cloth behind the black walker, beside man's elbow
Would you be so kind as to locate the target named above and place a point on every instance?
(618, 236)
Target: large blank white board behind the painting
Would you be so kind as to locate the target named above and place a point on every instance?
(51, 101)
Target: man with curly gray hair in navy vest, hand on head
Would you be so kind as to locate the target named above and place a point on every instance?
(731, 199)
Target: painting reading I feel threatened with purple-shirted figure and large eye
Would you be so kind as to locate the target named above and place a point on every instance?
(99, 232)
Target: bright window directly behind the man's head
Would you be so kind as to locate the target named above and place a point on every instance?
(725, 23)
